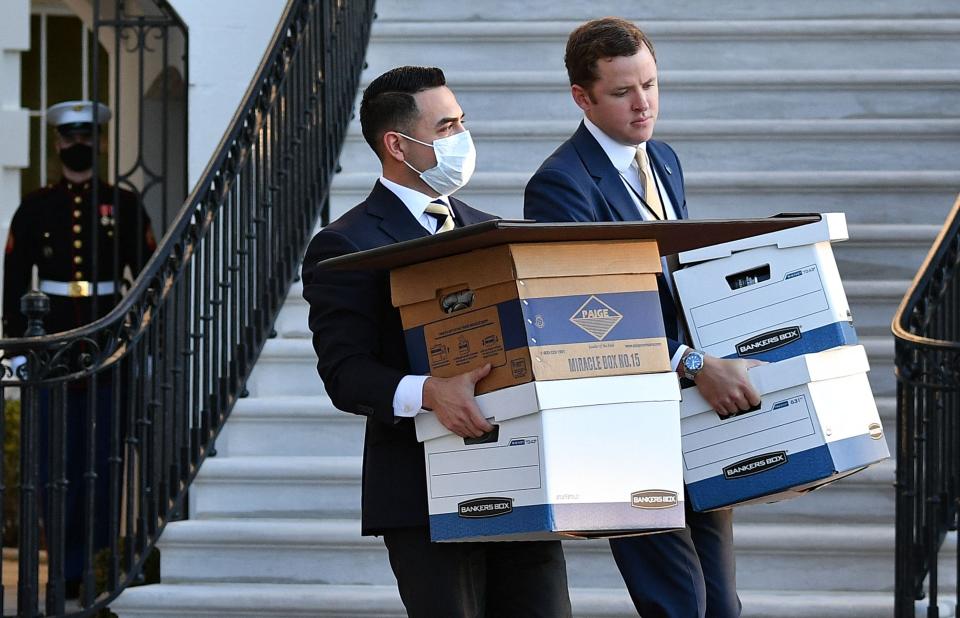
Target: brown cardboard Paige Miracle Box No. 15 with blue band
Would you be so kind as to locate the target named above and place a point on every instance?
(537, 311)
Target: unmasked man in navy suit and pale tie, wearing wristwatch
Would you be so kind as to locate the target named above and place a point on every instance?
(611, 170)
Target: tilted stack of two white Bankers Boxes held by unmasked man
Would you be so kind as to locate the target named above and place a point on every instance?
(777, 298)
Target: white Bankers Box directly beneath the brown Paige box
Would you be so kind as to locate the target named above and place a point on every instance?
(585, 458)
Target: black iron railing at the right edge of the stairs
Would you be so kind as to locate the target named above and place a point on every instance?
(927, 333)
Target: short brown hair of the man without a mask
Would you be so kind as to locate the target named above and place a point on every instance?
(607, 37)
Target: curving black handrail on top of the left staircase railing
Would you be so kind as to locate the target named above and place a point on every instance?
(167, 245)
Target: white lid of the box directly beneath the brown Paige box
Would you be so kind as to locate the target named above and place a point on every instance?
(529, 398)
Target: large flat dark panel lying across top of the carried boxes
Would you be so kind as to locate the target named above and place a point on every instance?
(671, 236)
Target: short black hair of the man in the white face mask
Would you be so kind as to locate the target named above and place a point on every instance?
(388, 103)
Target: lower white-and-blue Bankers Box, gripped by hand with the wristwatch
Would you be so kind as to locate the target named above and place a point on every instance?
(817, 422)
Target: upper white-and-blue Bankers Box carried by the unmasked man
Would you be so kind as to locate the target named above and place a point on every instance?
(769, 297)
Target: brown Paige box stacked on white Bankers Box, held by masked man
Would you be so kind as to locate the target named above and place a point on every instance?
(585, 408)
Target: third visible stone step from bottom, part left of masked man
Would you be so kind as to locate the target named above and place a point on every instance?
(277, 487)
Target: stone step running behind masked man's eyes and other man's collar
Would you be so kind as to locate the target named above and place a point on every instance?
(706, 146)
